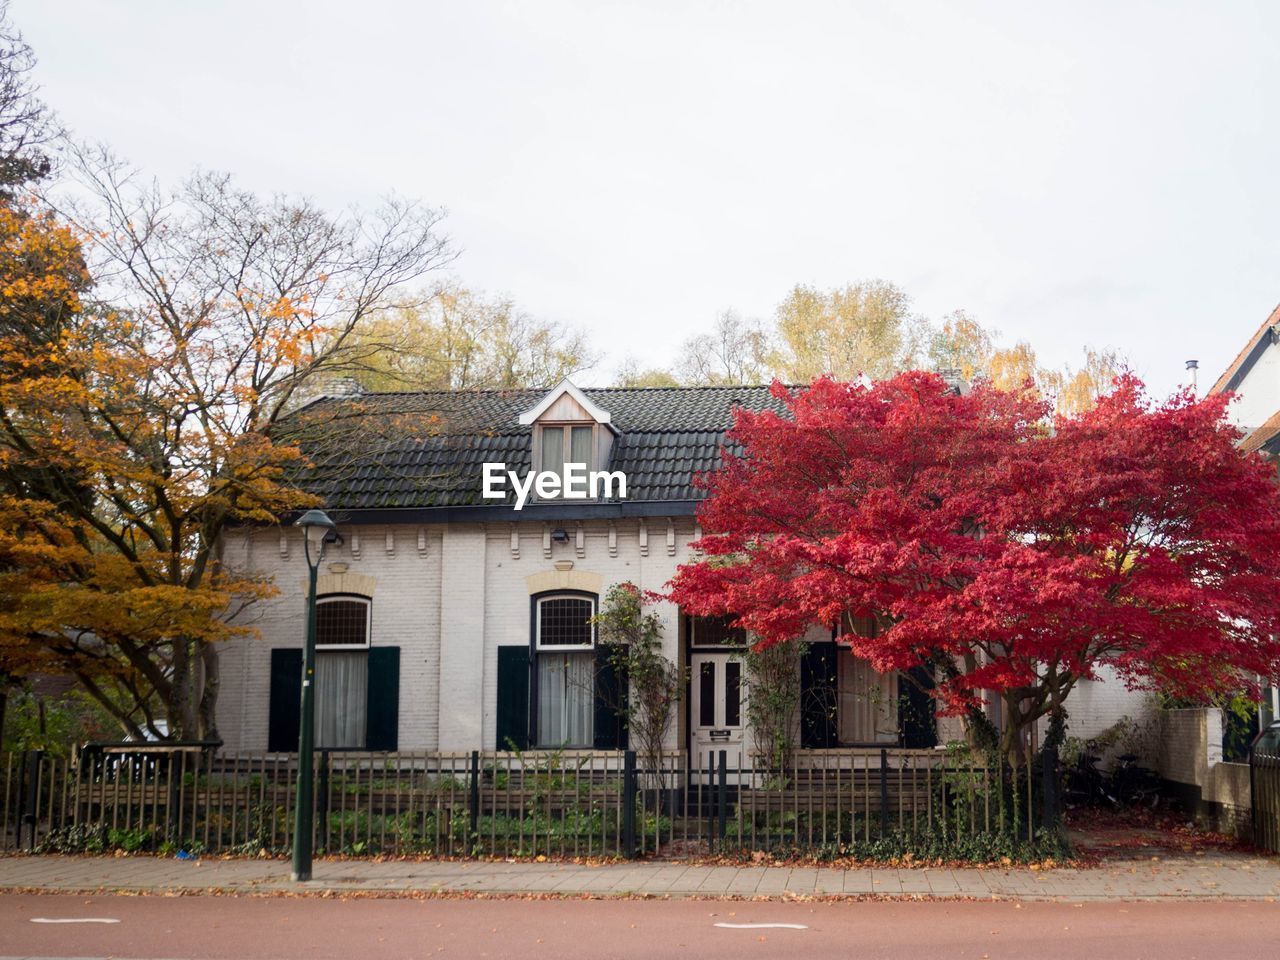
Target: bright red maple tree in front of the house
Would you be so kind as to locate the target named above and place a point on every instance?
(1008, 552)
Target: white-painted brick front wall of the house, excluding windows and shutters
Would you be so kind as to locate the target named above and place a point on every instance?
(449, 596)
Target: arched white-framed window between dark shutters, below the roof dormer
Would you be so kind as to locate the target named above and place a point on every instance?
(565, 651)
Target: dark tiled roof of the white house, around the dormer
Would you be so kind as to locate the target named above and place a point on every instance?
(431, 447)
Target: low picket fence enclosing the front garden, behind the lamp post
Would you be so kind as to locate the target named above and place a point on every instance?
(563, 803)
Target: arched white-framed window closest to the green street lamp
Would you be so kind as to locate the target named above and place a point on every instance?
(342, 671)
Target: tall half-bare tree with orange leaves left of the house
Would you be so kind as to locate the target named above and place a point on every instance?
(141, 422)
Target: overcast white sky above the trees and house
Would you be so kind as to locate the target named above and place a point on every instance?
(1071, 173)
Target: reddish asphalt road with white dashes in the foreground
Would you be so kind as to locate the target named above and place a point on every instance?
(572, 930)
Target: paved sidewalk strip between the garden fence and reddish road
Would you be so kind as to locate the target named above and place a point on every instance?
(1213, 877)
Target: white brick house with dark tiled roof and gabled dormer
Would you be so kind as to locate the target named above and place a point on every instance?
(451, 623)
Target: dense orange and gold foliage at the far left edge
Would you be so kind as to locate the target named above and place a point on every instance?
(80, 591)
